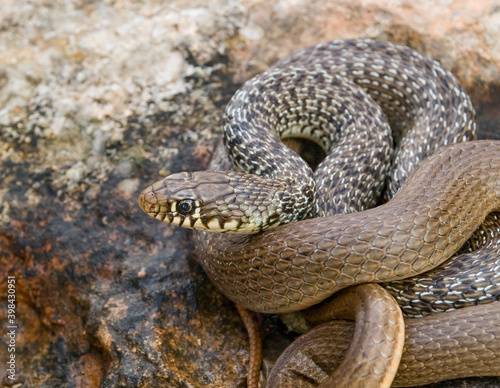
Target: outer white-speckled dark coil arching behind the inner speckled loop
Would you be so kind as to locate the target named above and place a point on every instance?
(426, 106)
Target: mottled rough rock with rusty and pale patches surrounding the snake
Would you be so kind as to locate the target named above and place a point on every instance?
(99, 98)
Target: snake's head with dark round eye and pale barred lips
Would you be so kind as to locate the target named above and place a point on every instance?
(216, 201)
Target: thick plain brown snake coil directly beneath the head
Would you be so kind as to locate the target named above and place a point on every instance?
(297, 265)
